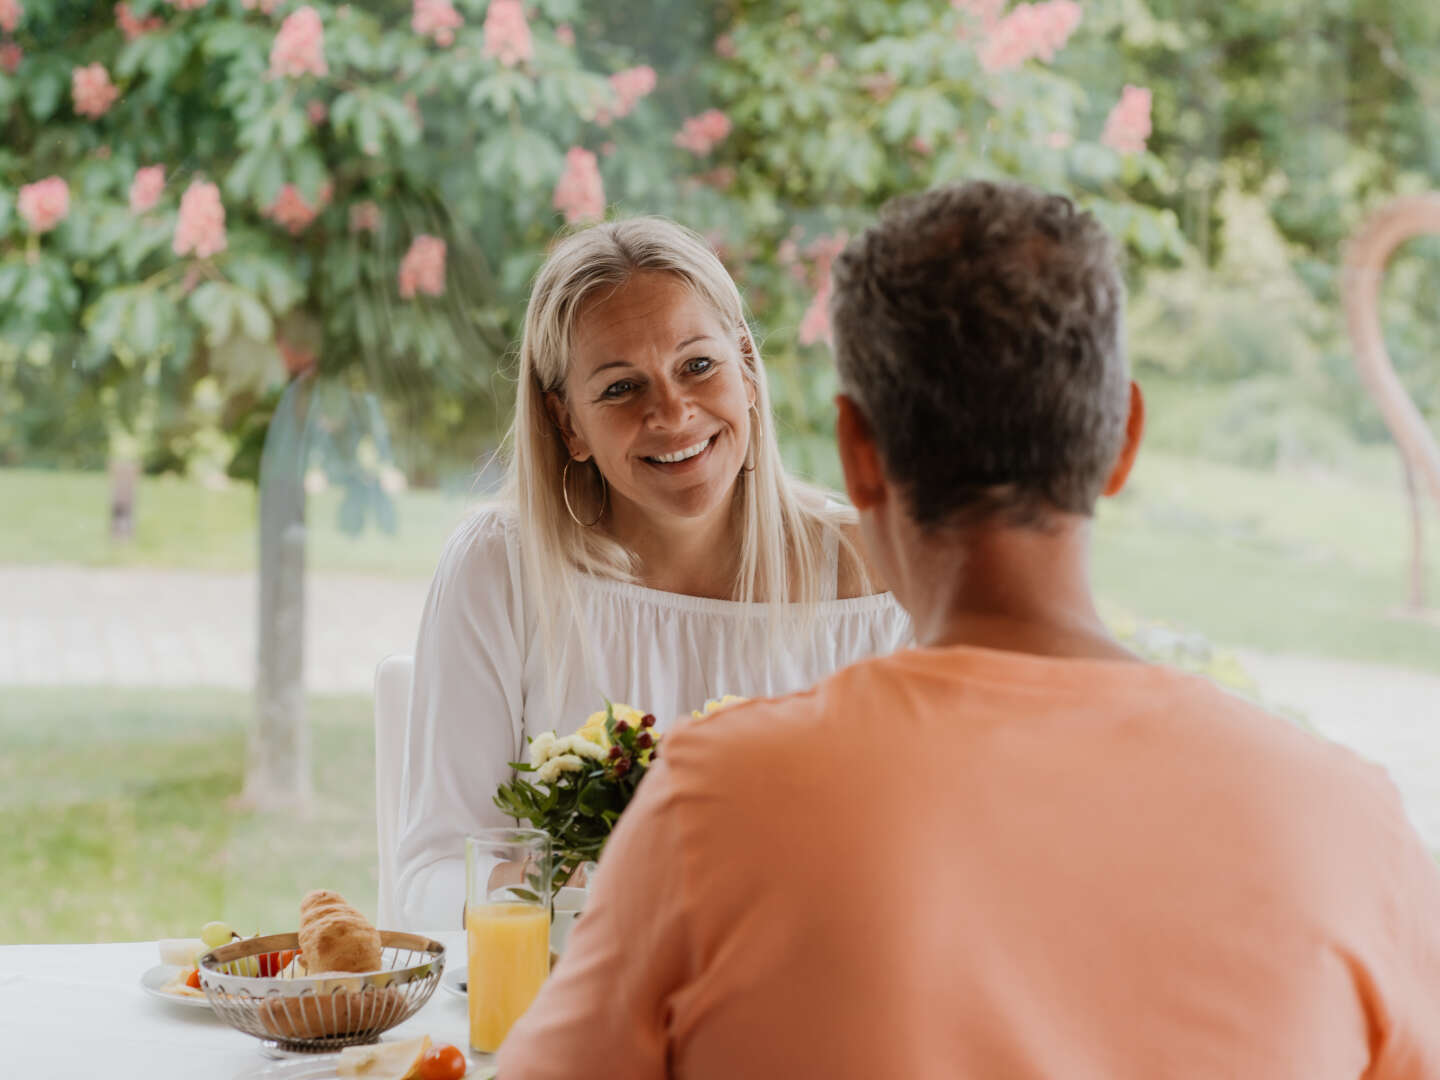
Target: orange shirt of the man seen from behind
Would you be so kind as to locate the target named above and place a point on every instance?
(964, 863)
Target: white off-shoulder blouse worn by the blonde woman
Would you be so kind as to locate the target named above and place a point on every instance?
(483, 686)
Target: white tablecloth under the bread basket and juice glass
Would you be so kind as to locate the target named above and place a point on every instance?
(78, 1012)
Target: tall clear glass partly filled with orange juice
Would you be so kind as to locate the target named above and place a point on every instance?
(508, 924)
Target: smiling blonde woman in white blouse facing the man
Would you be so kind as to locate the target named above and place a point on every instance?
(650, 546)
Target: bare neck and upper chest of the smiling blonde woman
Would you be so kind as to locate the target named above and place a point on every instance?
(690, 557)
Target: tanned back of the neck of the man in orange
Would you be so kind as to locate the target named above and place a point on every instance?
(1009, 588)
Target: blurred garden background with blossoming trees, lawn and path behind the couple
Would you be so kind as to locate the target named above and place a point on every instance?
(263, 269)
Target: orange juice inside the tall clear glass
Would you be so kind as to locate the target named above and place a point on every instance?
(509, 960)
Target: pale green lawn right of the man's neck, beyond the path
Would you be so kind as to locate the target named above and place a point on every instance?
(1294, 564)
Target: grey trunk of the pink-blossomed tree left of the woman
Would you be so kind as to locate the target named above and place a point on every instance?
(279, 774)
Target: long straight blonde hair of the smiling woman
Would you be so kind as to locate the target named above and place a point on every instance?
(783, 522)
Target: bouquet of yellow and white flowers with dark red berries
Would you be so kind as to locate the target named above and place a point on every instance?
(577, 787)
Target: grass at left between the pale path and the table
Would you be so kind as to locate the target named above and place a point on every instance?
(117, 819)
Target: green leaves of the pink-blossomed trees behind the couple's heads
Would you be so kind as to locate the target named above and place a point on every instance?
(836, 109)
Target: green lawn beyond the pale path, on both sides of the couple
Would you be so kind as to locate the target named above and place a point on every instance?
(1287, 562)
